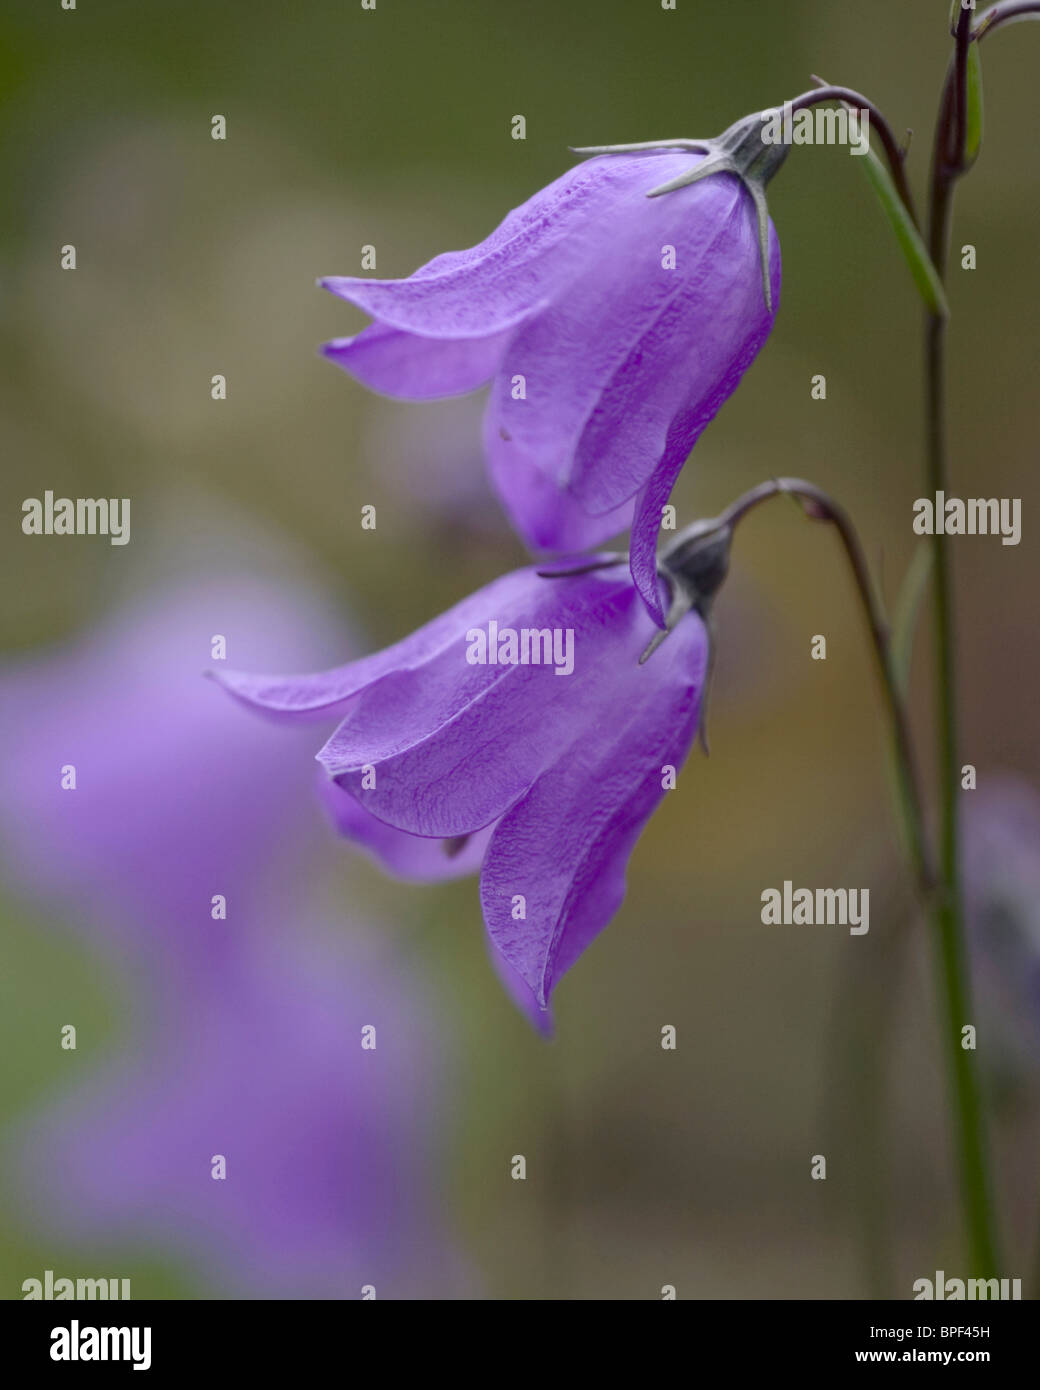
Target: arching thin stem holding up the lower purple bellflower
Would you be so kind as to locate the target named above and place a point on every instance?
(824, 509)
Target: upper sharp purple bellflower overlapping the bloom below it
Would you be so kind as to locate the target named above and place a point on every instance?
(612, 313)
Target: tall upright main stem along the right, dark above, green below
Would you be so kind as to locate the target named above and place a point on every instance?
(948, 166)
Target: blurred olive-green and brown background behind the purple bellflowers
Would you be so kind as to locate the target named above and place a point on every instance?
(393, 129)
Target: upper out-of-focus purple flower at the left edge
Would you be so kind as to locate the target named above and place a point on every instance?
(172, 803)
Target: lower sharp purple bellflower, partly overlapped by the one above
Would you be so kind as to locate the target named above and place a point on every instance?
(521, 735)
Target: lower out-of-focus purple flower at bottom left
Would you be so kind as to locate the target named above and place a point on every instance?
(327, 1145)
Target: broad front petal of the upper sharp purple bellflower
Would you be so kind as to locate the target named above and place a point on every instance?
(614, 387)
